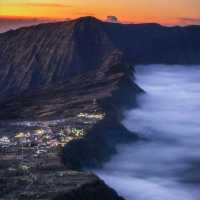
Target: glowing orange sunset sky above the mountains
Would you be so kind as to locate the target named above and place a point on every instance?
(162, 11)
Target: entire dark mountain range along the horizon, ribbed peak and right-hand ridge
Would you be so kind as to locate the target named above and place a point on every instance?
(52, 53)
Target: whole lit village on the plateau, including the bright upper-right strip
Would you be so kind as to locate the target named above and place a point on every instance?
(29, 148)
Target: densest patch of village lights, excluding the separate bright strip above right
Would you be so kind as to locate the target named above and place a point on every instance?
(41, 139)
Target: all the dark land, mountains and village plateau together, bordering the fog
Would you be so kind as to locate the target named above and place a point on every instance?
(70, 83)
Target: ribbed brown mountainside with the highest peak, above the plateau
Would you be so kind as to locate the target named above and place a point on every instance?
(49, 53)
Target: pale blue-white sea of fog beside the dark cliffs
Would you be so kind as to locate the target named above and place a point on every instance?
(165, 166)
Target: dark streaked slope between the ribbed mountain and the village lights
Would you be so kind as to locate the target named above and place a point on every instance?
(99, 90)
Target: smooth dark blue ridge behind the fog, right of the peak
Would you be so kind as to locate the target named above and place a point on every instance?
(153, 43)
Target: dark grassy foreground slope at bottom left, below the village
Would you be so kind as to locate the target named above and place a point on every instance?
(54, 185)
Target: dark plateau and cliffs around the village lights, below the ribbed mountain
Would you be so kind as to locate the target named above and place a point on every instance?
(99, 93)
